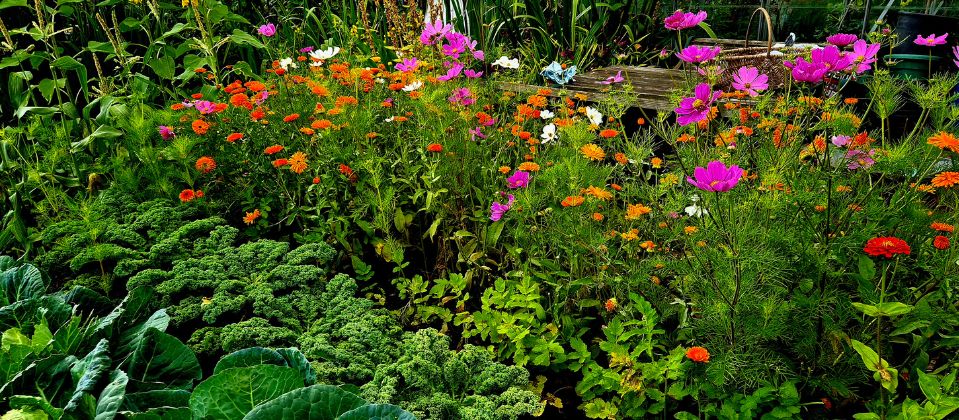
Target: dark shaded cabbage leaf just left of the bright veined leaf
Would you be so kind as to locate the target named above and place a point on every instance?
(164, 360)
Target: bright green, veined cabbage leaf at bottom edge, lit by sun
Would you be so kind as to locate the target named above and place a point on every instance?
(232, 393)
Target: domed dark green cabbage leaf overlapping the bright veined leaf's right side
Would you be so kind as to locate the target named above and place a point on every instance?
(317, 402)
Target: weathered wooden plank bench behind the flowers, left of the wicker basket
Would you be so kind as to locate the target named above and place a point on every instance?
(651, 85)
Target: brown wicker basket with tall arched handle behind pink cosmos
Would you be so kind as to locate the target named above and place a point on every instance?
(761, 58)
